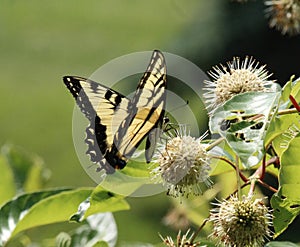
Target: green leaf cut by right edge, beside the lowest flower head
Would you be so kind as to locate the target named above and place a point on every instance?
(286, 203)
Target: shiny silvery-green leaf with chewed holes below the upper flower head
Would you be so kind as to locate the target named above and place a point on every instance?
(242, 121)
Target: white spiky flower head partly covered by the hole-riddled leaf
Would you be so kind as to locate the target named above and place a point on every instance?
(235, 78)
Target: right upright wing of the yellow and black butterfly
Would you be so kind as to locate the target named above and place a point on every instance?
(147, 108)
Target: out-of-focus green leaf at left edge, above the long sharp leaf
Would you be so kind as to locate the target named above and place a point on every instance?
(29, 170)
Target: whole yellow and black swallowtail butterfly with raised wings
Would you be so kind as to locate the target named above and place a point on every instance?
(117, 124)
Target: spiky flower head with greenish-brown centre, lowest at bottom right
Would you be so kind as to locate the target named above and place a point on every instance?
(242, 223)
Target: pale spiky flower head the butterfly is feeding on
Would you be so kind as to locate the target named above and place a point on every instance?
(183, 164)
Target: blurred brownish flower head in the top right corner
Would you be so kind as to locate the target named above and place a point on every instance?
(284, 15)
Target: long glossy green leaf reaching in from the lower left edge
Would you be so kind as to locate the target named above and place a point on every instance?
(38, 208)
